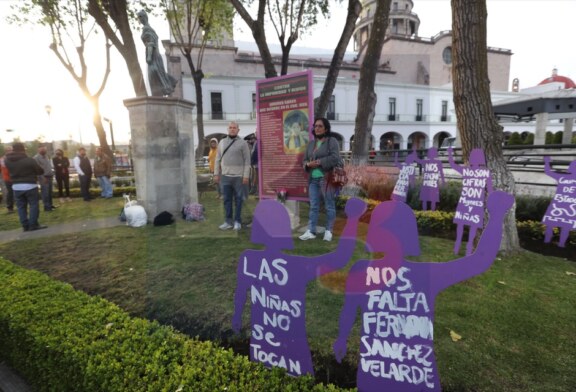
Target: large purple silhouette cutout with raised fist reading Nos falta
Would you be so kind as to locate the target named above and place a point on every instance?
(396, 298)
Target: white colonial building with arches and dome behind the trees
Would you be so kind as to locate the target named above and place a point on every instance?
(415, 104)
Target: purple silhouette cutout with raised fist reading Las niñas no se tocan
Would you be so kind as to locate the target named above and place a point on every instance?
(277, 284)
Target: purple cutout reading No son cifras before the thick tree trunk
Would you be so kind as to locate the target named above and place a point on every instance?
(476, 182)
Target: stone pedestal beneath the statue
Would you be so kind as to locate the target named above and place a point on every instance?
(163, 153)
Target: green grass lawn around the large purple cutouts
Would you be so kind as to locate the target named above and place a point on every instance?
(517, 320)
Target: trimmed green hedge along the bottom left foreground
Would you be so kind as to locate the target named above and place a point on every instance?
(61, 339)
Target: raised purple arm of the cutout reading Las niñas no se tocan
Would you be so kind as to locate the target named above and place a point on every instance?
(341, 256)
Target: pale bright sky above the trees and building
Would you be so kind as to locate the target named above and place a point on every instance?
(539, 33)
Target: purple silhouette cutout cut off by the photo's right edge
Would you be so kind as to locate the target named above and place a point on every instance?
(562, 209)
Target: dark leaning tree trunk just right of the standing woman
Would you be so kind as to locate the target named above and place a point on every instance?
(366, 94)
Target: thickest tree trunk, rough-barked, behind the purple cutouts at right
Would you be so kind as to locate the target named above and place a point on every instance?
(477, 124)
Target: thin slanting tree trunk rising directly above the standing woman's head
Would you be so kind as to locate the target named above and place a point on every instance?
(321, 105)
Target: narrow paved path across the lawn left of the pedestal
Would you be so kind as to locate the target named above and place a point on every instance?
(64, 228)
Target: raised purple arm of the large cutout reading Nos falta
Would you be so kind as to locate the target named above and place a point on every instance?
(446, 274)
